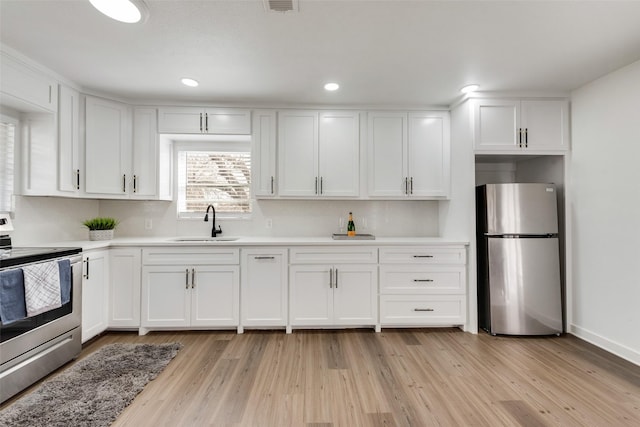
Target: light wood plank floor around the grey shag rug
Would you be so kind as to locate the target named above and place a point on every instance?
(414, 377)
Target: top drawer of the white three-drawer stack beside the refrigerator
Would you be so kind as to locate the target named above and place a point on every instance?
(423, 255)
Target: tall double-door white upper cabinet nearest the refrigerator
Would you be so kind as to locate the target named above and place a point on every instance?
(409, 155)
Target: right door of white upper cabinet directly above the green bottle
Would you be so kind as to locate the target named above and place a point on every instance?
(339, 154)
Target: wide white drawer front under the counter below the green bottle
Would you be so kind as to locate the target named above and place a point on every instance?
(333, 255)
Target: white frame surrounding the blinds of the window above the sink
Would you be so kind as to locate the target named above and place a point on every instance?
(230, 145)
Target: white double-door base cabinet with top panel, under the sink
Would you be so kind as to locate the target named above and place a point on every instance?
(190, 287)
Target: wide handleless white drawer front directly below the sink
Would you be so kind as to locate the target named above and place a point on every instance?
(190, 256)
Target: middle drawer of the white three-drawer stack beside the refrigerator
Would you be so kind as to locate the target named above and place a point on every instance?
(412, 279)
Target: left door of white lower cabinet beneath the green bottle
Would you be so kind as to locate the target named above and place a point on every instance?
(310, 295)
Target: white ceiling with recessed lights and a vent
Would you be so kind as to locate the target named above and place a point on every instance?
(384, 52)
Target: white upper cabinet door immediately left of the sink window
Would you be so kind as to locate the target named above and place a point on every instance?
(143, 182)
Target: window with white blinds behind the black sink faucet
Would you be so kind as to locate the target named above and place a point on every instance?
(217, 174)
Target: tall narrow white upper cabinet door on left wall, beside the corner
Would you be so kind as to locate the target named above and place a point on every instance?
(68, 143)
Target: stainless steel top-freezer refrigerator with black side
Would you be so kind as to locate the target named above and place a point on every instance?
(519, 287)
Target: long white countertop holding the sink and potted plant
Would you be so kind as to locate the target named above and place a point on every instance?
(257, 241)
